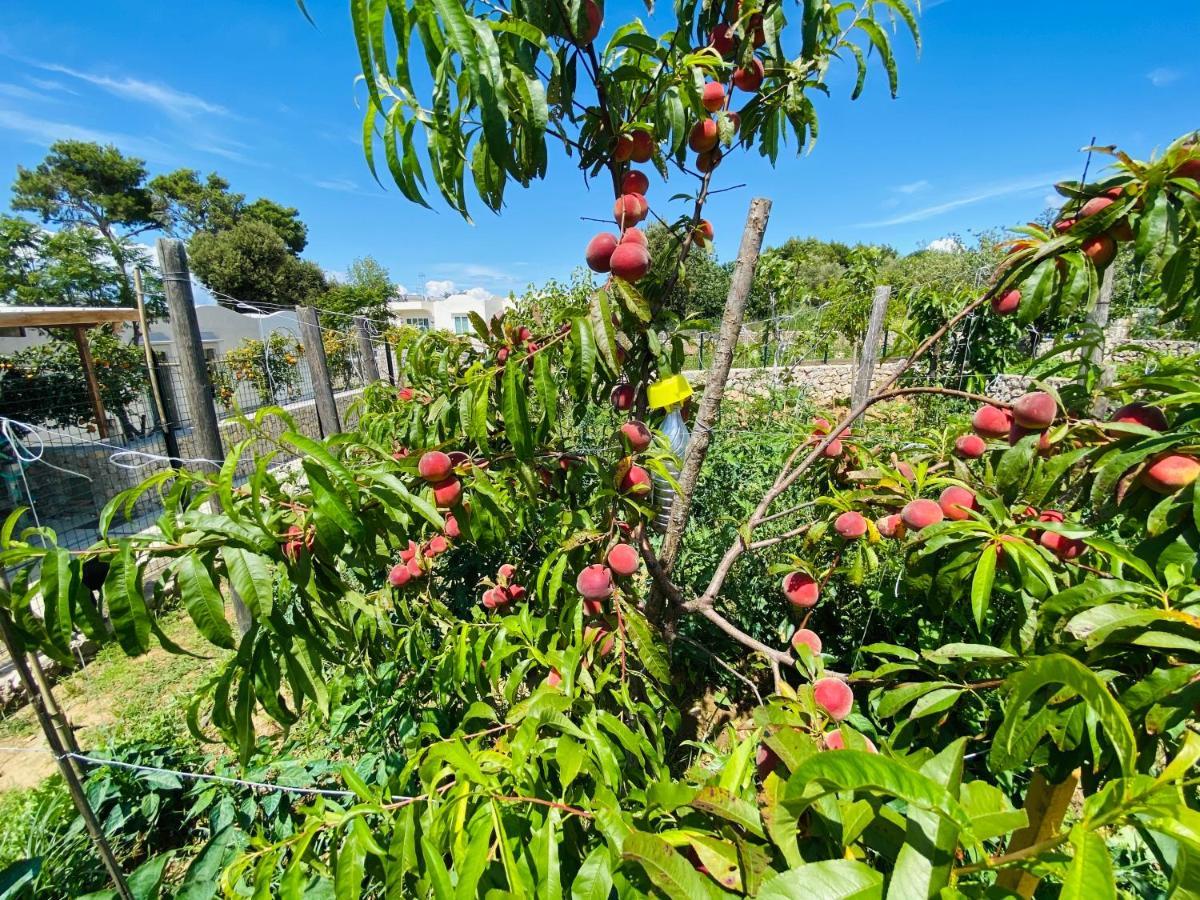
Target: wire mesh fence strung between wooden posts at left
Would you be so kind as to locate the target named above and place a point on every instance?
(64, 463)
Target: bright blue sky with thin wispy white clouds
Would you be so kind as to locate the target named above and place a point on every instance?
(989, 116)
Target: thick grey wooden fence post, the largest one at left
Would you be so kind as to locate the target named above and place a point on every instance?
(177, 284)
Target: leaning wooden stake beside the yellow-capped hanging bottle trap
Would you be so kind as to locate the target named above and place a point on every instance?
(715, 385)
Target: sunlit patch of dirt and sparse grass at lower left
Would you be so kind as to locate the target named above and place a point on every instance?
(112, 699)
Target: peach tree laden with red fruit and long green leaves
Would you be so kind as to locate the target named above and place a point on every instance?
(488, 527)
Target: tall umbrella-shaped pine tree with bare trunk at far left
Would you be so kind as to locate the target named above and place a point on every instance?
(83, 183)
